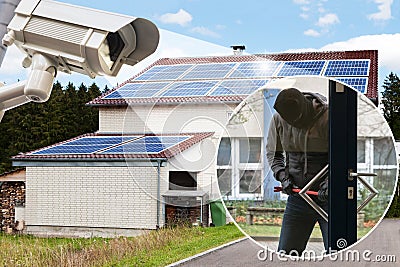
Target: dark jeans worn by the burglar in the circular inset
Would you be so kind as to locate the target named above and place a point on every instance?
(298, 222)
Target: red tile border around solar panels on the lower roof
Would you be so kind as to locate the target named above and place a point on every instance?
(168, 153)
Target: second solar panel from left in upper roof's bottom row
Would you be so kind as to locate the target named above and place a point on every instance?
(185, 89)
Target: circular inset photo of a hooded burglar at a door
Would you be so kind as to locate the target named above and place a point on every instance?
(307, 164)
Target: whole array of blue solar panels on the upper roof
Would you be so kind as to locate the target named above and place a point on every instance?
(234, 78)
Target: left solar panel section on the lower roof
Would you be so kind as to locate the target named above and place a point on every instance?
(84, 145)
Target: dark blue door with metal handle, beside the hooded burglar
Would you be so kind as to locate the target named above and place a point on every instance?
(342, 162)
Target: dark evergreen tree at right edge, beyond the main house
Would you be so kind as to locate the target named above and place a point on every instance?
(391, 103)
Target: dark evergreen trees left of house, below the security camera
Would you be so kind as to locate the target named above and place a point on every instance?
(34, 125)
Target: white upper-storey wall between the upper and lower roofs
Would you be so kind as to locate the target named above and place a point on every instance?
(165, 118)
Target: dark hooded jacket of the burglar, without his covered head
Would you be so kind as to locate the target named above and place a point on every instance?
(301, 153)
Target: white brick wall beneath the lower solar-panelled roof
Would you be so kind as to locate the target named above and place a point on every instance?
(114, 197)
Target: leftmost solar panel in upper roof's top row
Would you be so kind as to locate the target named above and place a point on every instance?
(164, 72)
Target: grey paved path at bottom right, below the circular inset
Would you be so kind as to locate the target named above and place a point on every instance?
(383, 241)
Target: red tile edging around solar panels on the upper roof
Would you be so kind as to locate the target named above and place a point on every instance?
(372, 89)
